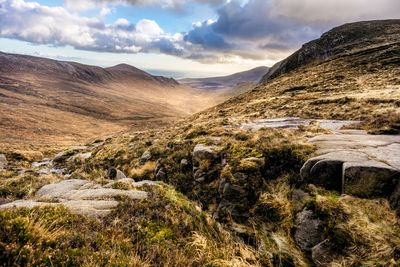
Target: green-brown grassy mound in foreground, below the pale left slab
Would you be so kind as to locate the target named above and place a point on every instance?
(165, 229)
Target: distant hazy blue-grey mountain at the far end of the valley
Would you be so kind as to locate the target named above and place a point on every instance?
(226, 82)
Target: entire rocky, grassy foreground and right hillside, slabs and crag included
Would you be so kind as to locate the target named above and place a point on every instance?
(301, 171)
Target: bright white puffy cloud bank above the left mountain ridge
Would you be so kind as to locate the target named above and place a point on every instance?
(58, 26)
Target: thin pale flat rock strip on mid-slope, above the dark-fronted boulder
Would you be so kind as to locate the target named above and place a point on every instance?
(292, 123)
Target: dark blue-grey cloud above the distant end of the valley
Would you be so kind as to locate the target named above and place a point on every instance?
(248, 30)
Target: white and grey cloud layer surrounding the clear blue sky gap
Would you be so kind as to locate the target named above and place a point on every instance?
(259, 29)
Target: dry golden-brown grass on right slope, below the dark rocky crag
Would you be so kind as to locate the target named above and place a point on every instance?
(341, 87)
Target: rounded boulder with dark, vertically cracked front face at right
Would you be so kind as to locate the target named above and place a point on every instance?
(351, 172)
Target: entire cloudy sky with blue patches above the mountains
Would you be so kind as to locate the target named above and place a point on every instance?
(177, 38)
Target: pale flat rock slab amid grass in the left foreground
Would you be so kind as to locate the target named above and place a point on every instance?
(80, 196)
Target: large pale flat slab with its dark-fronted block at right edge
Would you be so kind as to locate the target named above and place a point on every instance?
(358, 164)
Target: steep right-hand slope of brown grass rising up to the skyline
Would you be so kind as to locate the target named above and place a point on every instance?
(360, 81)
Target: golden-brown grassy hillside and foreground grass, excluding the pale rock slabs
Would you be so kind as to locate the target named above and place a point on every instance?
(238, 205)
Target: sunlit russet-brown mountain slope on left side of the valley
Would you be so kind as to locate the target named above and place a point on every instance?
(45, 101)
